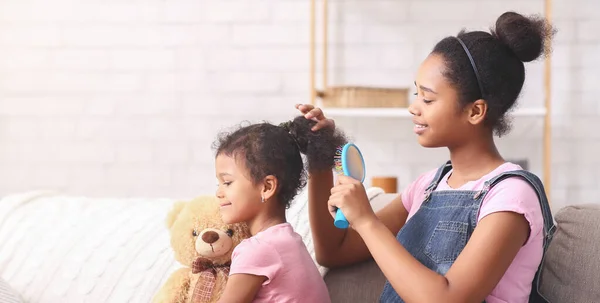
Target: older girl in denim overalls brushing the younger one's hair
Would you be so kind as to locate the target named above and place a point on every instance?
(474, 229)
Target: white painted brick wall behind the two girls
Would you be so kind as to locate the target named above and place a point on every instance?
(126, 97)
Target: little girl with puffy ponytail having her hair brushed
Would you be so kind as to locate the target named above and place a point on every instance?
(260, 170)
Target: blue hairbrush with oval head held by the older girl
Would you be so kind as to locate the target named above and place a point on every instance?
(348, 161)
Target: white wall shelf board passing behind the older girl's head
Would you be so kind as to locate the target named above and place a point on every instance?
(403, 112)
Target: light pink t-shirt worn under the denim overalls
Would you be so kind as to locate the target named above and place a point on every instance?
(511, 194)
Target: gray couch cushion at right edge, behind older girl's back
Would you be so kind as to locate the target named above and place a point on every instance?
(571, 269)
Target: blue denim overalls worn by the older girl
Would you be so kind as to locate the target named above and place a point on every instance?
(440, 229)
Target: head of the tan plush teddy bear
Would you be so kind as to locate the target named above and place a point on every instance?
(197, 231)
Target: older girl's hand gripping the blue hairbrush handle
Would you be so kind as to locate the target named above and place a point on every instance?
(350, 196)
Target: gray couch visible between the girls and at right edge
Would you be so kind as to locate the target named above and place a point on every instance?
(570, 273)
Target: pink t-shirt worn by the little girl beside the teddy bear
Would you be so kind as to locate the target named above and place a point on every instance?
(279, 254)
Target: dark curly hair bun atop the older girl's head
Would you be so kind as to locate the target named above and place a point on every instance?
(525, 36)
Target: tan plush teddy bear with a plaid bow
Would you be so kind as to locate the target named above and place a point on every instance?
(203, 244)
